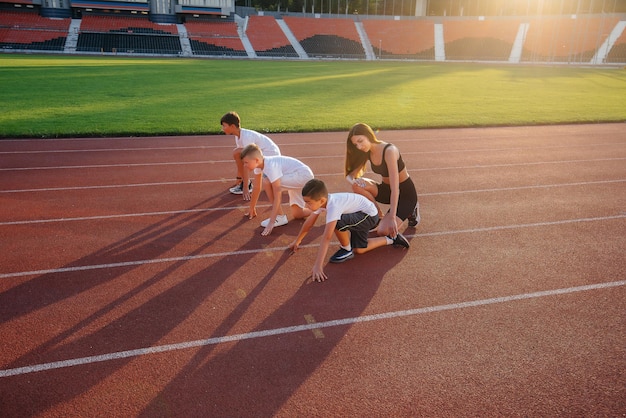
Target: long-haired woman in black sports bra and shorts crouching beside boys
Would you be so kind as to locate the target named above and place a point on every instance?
(397, 188)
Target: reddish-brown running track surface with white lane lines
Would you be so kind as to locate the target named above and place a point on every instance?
(132, 285)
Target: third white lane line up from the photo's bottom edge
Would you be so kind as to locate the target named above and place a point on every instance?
(183, 211)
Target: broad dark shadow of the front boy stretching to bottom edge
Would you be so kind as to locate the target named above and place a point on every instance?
(257, 376)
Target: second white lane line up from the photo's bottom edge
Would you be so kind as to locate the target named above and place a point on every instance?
(282, 249)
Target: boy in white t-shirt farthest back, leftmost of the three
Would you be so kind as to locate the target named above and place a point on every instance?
(231, 125)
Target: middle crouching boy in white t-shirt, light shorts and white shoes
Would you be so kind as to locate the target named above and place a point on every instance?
(275, 174)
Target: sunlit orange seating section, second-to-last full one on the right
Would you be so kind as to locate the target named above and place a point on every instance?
(479, 40)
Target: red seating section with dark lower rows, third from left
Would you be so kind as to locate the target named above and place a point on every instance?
(215, 38)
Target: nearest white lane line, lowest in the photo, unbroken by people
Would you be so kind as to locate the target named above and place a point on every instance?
(299, 328)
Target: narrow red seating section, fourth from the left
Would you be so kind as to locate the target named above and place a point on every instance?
(267, 39)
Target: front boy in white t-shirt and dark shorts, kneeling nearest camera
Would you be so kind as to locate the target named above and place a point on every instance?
(350, 217)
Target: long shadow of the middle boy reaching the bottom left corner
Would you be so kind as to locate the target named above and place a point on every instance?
(141, 327)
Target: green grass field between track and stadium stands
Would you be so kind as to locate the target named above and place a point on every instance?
(61, 96)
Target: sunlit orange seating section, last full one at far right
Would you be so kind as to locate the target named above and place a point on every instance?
(565, 39)
